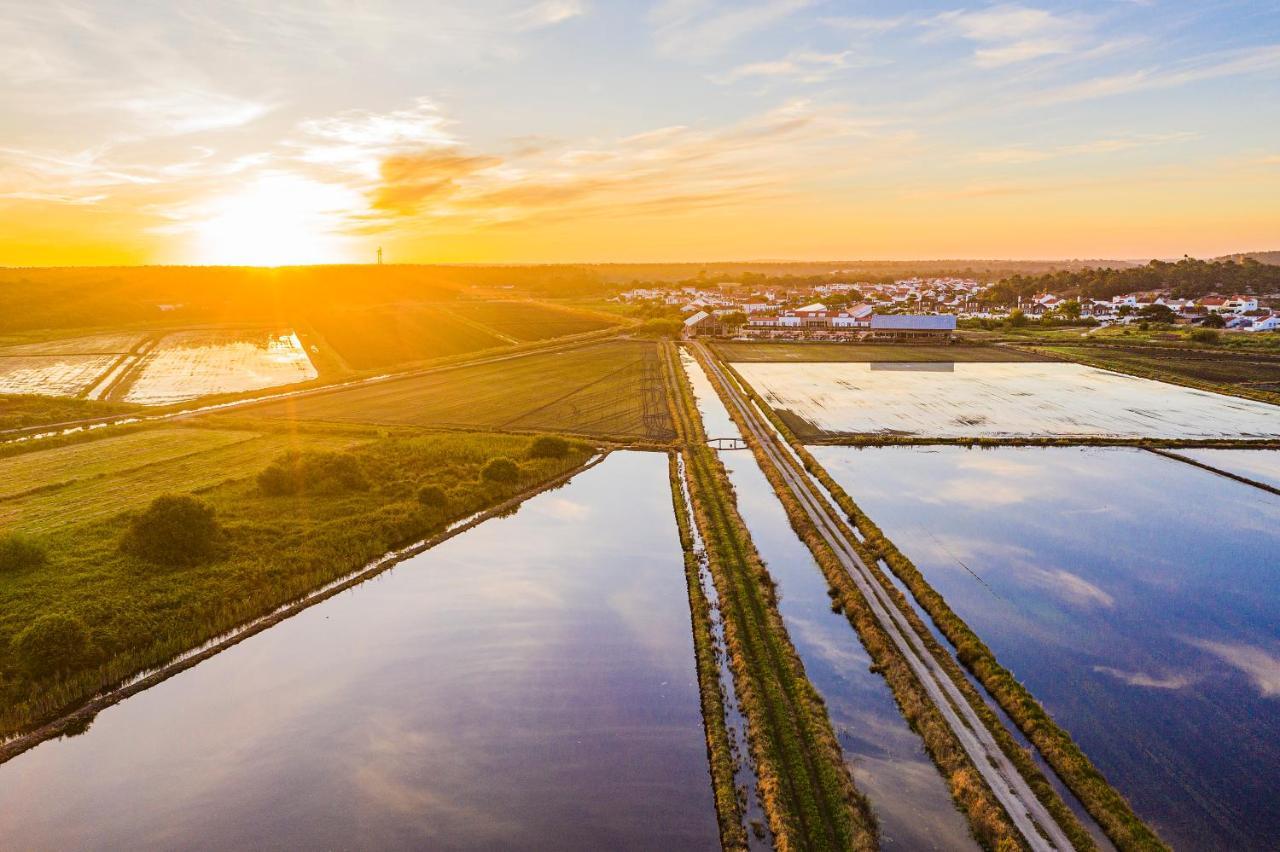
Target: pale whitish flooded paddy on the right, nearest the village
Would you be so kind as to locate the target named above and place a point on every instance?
(1002, 401)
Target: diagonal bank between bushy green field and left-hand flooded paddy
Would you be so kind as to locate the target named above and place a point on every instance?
(83, 717)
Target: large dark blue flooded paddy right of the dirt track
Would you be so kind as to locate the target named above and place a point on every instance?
(1148, 629)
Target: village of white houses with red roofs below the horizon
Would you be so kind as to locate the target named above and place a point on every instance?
(930, 310)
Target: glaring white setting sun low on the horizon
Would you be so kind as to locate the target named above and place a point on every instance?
(278, 221)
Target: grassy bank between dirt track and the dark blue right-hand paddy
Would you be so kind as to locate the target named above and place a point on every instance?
(1072, 766)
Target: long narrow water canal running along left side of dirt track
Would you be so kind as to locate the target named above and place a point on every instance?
(886, 758)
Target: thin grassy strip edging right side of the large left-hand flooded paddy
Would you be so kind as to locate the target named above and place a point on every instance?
(720, 750)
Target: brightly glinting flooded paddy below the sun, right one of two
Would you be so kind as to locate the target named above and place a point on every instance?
(186, 365)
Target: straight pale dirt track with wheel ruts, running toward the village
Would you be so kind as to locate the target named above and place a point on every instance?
(1031, 818)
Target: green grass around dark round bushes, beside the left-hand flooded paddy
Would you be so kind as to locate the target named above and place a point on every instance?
(76, 502)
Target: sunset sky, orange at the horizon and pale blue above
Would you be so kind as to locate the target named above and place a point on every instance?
(547, 131)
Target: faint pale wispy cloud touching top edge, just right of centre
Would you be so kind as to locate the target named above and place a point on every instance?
(703, 29)
